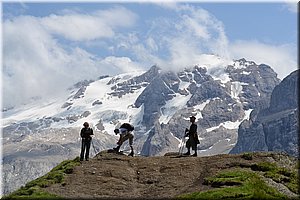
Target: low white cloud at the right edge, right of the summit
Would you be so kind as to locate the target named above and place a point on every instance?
(281, 58)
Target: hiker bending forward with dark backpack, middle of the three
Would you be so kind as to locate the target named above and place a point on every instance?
(125, 132)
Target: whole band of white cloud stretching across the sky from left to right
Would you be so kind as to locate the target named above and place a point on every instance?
(37, 64)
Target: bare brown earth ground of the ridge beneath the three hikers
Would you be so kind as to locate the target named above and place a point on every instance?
(109, 175)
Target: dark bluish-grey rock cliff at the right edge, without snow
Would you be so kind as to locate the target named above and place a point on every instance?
(276, 127)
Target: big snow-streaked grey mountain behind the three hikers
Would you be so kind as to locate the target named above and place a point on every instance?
(220, 93)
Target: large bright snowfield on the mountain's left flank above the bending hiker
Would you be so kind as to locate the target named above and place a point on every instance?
(112, 107)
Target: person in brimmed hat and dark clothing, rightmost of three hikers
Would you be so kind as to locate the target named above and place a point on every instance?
(193, 137)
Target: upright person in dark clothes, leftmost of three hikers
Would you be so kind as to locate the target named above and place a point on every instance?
(85, 135)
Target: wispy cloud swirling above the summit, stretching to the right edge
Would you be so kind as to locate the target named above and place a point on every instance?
(181, 41)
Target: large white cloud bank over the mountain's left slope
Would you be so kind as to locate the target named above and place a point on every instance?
(35, 64)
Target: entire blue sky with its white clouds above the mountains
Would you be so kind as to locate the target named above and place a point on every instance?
(66, 42)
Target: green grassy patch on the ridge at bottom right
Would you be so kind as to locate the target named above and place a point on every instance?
(244, 182)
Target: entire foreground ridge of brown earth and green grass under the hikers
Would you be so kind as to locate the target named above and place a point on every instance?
(113, 176)
